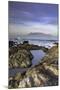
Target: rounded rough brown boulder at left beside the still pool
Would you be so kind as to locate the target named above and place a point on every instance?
(22, 58)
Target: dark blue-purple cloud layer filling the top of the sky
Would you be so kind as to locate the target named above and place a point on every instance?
(33, 12)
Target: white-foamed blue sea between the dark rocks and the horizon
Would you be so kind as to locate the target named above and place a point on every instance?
(45, 43)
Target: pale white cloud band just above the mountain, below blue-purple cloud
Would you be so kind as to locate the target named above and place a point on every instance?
(16, 29)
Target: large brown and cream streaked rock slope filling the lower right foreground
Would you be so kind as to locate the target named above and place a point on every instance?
(43, 74)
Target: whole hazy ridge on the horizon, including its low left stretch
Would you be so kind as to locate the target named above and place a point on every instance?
(36, 36)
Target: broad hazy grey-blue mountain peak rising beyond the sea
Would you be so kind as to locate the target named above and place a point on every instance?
(41, 36)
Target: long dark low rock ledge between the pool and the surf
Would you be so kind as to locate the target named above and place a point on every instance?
(26, 46)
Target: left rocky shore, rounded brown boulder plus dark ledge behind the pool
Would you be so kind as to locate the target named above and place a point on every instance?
(20, 55)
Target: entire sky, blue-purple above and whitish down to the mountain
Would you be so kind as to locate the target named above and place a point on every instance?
(26, 17)
